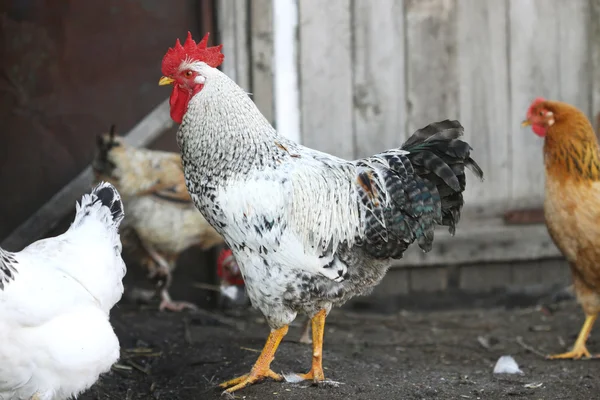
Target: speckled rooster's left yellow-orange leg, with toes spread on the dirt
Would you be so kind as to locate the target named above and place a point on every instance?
(262, 367)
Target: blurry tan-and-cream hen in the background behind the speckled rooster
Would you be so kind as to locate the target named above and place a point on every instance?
(159, 208)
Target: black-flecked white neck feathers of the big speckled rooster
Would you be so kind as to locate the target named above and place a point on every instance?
(223, 134)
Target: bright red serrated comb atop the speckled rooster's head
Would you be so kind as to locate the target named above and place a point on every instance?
(193, 52)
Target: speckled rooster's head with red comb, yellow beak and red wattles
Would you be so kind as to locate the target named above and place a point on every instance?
(179, 68)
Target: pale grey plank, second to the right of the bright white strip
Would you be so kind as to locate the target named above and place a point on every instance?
(379, 87)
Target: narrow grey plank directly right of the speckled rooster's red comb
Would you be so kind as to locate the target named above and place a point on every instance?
(233, 31)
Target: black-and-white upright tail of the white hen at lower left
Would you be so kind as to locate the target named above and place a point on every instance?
(102, 204)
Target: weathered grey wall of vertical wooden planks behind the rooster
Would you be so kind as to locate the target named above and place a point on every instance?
(373, 71)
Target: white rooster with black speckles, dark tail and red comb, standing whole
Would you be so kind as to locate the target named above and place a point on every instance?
(309, 230)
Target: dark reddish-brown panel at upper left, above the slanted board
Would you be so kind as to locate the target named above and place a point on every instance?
(68, 69)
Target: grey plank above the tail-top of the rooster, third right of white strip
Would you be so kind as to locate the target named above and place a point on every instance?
(431, 61)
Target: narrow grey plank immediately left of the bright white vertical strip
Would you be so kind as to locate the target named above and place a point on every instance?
(261, 22)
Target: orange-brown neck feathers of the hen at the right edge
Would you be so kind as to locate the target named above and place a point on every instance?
(571, 151)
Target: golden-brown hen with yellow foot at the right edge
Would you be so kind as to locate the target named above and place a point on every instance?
(572, 201)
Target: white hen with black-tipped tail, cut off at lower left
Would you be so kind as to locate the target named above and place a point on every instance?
(55, 299)
